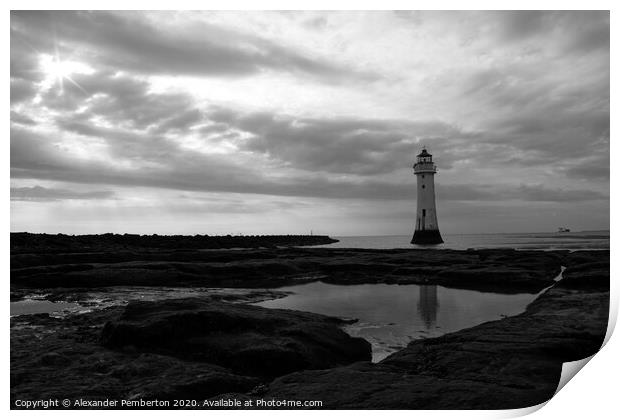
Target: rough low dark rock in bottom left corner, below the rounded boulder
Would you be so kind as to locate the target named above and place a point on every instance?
(61, 358)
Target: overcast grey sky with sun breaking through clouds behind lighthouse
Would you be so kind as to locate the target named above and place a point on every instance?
(286, 122)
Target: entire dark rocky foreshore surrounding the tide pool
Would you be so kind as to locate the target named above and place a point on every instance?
(218, 348)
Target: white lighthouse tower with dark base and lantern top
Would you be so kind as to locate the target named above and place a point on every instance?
(426, 227)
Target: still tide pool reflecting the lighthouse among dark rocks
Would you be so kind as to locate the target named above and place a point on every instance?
(390, 316)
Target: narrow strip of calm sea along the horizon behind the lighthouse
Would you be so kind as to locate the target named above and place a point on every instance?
(544, 241)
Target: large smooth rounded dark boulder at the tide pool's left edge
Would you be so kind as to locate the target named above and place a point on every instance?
(247, 339)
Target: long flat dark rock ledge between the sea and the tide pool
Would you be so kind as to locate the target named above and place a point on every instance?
(501, 270)
